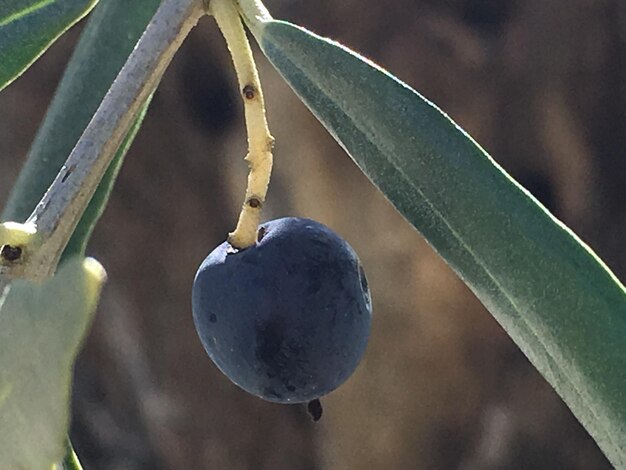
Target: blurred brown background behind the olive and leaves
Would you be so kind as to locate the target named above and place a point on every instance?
(541, 84)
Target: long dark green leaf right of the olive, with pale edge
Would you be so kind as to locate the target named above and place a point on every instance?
(557, 300)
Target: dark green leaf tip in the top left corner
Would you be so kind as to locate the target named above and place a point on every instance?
(28, 27)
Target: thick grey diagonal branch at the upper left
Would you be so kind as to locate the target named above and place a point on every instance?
(60, 209)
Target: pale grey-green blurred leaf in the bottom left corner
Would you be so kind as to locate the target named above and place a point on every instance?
(41, 329)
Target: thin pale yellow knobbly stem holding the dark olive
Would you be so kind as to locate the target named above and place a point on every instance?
(260, 141)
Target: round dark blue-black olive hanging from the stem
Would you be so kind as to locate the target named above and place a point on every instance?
(288, 318)
